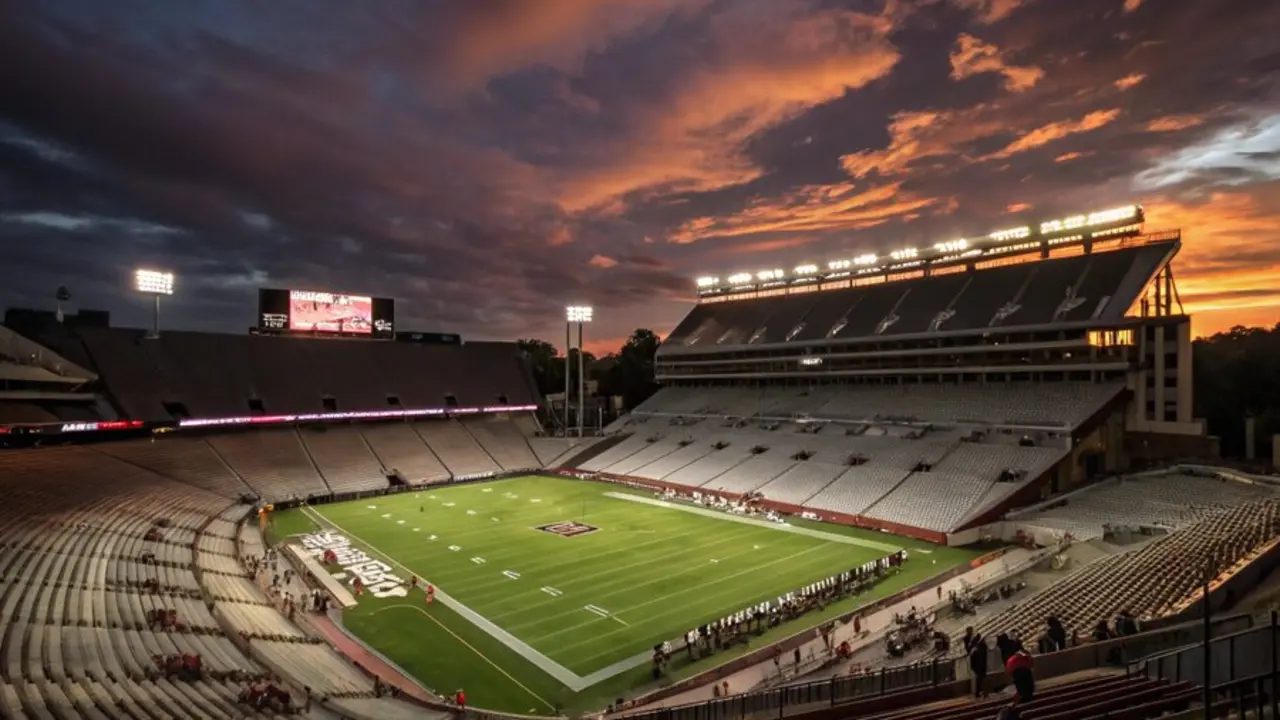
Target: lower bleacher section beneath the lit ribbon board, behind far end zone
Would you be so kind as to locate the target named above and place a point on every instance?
(284, 463)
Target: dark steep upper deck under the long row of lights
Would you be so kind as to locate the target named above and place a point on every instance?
(1098, 288)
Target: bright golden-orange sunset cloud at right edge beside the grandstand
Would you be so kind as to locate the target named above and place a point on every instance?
(1231, 259)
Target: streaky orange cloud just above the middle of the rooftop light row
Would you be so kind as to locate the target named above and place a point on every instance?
(811, 209)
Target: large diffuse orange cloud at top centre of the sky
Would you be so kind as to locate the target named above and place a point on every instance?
(694, 142)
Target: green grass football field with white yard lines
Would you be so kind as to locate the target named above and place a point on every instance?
(588, 603)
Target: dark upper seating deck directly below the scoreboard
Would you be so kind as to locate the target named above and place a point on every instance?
(222, 376)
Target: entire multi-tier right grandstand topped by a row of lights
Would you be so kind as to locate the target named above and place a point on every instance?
(998, 371)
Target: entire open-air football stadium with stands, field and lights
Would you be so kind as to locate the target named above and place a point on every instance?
(863, 487)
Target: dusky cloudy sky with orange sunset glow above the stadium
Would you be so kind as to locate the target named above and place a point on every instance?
(490, 162)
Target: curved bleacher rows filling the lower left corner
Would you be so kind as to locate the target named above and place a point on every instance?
(90, 545)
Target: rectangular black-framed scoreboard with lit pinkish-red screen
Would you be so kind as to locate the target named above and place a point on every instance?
(307, 312)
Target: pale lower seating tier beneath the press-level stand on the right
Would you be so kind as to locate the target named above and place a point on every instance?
(924, 457)
